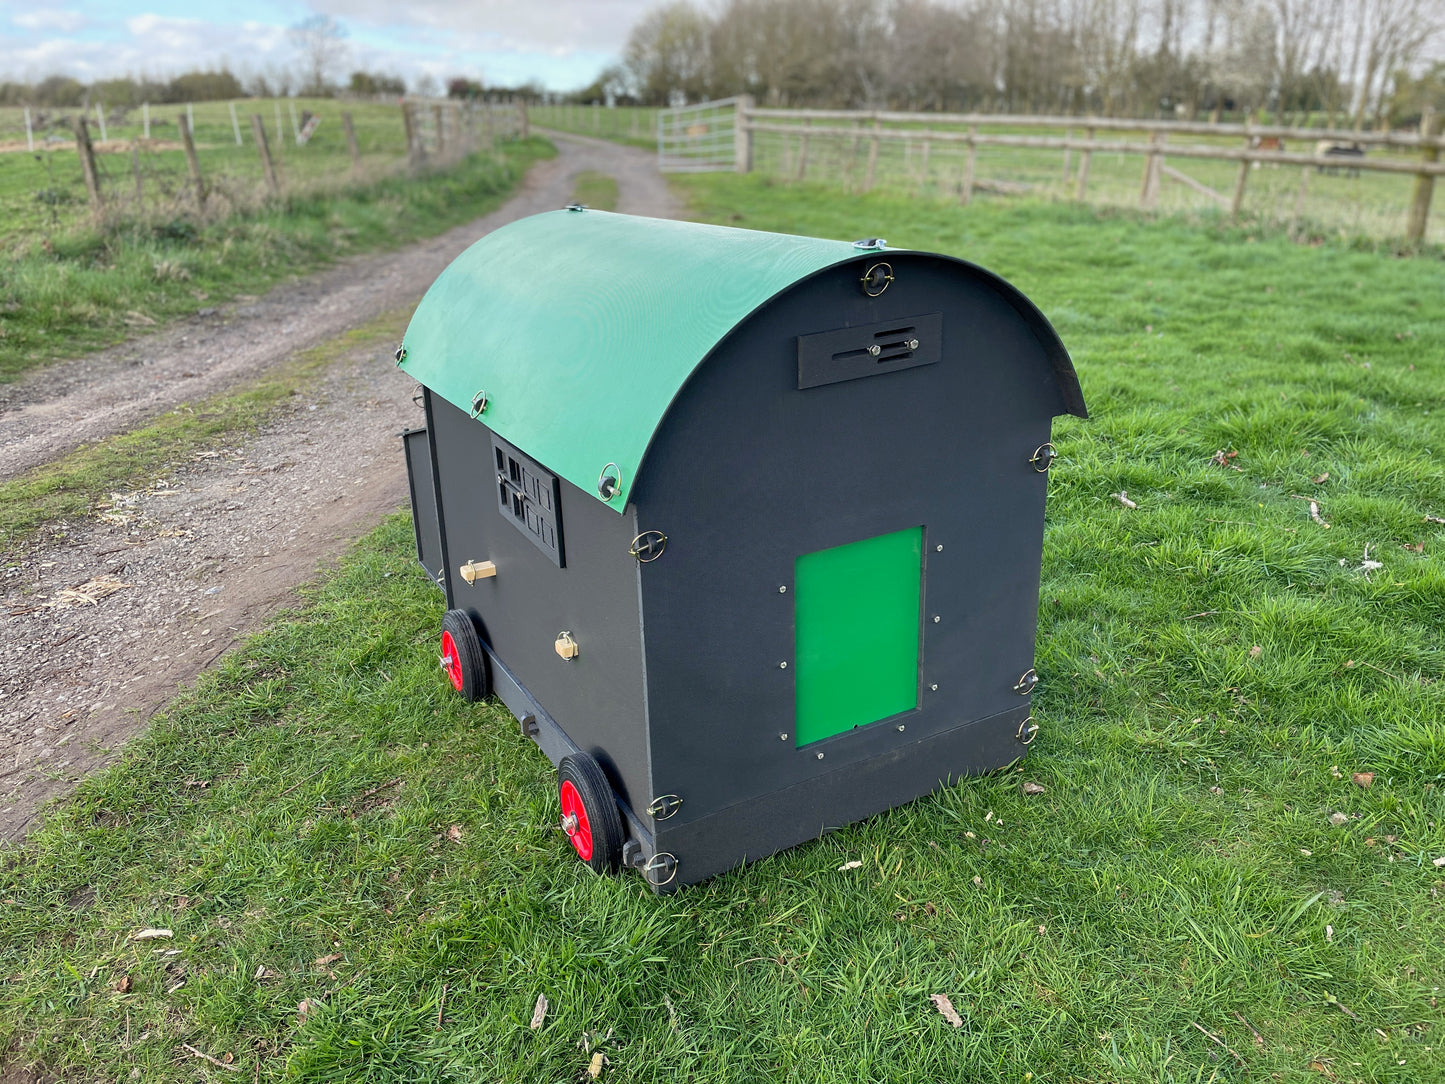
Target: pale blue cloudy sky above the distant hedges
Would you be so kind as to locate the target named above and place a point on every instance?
(561, 44)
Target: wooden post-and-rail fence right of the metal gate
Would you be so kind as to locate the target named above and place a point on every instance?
(865, 134)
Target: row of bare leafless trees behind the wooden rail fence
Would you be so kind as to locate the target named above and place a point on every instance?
(1358, 61)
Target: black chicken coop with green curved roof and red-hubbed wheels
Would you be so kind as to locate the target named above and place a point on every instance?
(743, 528)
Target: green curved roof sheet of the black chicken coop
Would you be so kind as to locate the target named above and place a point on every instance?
(582, 327)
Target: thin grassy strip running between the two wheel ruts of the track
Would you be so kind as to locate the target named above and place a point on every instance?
(76, 483)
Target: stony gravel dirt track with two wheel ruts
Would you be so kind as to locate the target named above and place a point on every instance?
(105, 622)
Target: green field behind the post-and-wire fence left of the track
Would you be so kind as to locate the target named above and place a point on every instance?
(43, 193)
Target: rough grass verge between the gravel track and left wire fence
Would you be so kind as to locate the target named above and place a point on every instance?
(92, 288)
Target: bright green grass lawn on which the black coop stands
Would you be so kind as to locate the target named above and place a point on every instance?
(365, 881)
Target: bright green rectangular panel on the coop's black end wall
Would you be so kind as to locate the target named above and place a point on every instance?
(856, 634)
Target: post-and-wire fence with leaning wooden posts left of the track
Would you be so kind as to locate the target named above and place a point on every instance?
(245, 154)
